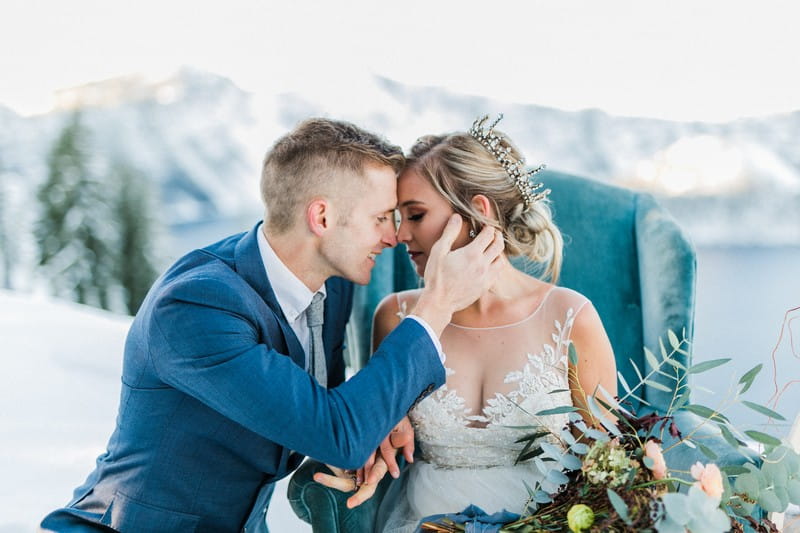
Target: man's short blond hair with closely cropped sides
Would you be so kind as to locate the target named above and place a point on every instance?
(319, 157)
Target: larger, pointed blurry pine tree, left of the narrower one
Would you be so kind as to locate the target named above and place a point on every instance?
(73, 231)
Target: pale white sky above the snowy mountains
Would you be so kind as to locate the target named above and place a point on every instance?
(689, 60)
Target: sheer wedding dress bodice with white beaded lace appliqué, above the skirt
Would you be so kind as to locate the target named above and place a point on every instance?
(528, 361)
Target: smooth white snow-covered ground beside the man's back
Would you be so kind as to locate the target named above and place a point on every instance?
(59, 390)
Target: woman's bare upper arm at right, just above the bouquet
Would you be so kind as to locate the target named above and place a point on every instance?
(596, 364)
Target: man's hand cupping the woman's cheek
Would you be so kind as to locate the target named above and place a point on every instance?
(454, 279)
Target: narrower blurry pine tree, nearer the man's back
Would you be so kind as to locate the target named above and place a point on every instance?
(134, 253)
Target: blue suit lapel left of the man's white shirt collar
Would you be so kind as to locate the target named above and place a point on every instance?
(248, 263)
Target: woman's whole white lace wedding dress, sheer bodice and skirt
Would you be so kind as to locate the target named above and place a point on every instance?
(467, 457)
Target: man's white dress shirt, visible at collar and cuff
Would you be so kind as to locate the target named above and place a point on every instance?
(294, 297)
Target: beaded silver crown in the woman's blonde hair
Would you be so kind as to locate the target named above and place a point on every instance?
(530, 192)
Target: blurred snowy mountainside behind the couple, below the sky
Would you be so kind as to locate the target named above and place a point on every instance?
(201, 139)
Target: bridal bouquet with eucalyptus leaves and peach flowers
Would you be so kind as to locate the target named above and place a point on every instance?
(616, 476)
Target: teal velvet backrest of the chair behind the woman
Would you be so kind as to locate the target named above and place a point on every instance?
(622, 251)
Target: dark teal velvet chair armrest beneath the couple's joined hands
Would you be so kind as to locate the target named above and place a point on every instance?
(325, 509)
